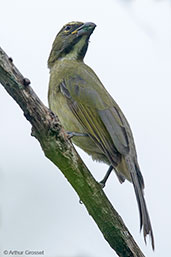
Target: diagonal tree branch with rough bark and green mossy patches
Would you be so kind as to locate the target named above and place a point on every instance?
(58, 148)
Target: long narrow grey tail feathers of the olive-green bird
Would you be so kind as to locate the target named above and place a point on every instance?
(145, 223)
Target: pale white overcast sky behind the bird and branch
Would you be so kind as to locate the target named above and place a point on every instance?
(130, 50)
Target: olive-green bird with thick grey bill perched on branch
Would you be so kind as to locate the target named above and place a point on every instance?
(90, 115)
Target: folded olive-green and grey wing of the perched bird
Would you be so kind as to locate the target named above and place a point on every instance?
(98, 116)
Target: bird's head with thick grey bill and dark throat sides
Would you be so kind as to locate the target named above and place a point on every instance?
(71, 42)
